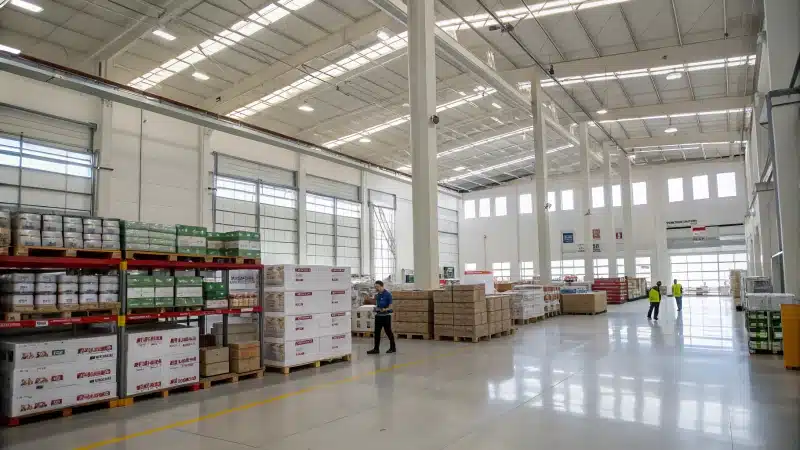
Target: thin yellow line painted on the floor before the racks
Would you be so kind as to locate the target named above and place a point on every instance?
(247, 406)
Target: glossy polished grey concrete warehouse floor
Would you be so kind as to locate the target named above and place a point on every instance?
(611, 381)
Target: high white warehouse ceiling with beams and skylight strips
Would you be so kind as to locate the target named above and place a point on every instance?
(334, 72)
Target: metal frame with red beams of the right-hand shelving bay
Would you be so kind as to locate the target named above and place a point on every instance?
(125, 317)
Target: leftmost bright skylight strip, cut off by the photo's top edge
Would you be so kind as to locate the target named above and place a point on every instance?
(238, 31)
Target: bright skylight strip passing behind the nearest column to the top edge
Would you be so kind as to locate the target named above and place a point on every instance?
(388, 45)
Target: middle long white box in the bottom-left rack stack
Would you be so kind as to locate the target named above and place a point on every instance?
(56, 376)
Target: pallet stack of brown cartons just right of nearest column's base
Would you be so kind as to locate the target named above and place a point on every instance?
(460, 312)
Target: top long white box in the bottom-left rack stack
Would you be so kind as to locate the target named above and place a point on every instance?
(36, 351)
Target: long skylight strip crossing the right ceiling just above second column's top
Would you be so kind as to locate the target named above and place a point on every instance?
(655, 71)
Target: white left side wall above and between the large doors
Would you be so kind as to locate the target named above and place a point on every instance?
(159, 167)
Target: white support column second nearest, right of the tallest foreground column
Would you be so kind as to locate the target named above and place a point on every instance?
(540, 153)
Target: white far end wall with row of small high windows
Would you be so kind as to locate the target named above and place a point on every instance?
(513, 238)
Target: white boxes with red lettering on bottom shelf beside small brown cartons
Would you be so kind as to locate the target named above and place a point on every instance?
(160, 357)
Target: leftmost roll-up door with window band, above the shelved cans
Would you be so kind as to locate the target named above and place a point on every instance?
(46, 163)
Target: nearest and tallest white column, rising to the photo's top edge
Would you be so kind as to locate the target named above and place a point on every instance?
(422, 97)
